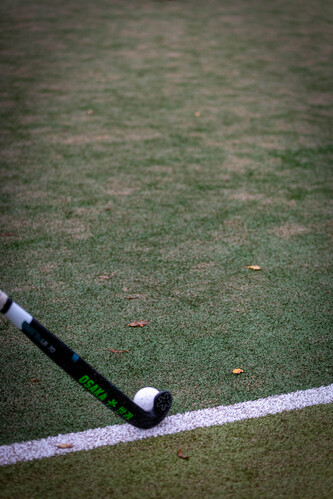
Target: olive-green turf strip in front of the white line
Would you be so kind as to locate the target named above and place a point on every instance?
(287, 455)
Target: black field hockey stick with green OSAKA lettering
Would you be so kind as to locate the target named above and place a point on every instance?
(85, 374)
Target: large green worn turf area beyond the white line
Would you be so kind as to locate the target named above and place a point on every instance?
(166, 146)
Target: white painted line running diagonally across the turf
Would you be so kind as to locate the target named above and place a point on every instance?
(112, 435)
